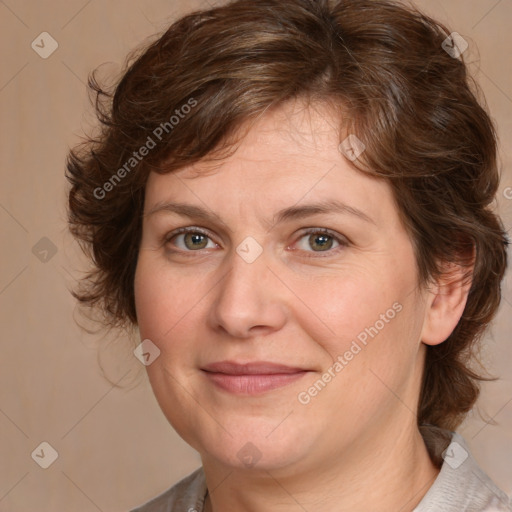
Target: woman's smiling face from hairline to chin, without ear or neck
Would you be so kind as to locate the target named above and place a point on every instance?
(339, 308)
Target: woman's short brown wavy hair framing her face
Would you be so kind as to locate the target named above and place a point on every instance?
(383, 67)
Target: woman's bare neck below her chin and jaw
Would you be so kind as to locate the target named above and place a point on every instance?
(363, 477)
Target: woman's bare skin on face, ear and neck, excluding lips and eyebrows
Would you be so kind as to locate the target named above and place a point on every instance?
(355, 445)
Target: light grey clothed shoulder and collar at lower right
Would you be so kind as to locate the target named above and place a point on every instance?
(462, 486)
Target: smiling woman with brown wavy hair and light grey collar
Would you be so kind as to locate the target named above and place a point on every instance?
(291, 200)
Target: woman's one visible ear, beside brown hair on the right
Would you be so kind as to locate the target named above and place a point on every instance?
(446, 301)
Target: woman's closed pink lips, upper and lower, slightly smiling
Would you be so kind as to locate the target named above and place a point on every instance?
(251, 378)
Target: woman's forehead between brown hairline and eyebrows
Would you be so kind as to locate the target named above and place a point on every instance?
(289, 155)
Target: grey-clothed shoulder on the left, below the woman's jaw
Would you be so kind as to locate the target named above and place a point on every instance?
(185, 496)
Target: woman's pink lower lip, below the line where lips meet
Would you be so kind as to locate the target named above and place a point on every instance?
(253, 384)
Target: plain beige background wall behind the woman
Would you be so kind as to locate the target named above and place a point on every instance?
(115, 449)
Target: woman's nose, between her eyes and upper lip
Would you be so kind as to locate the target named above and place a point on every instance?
(249, 300)
